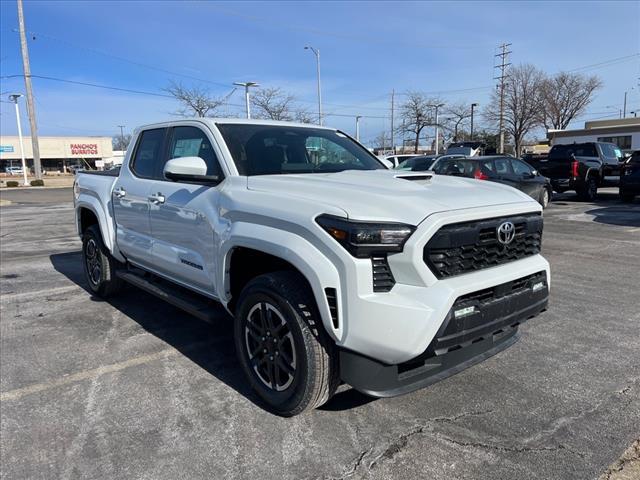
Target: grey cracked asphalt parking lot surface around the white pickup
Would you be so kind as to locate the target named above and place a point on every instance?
(134, 388)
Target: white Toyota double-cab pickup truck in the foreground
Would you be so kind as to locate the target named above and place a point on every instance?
(333, 267)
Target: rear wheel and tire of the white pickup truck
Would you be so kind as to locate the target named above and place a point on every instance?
(99, 266)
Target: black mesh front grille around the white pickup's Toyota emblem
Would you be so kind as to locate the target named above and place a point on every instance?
(466, 247)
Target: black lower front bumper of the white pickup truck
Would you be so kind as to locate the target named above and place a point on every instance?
(489, 324)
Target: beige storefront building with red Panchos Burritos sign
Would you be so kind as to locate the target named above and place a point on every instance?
(57, 154)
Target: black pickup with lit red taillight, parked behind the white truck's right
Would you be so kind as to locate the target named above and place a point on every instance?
(583, 167)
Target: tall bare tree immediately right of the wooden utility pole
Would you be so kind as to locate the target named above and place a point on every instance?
(522, 103)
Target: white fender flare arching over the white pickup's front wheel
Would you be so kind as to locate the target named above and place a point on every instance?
(303, 255)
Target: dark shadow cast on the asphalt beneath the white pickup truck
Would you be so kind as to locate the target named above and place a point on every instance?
(182, 331)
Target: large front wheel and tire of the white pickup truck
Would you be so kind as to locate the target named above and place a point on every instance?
(279, 306)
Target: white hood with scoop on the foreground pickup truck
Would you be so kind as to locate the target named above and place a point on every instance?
(383, 195)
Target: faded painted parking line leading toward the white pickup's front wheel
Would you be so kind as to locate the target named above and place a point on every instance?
(96, 372)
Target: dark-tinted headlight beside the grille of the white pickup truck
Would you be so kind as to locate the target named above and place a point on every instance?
(363, 239)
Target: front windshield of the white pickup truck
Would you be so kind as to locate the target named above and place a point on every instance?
(283, 149)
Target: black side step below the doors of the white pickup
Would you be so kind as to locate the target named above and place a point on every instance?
(197, 305)
